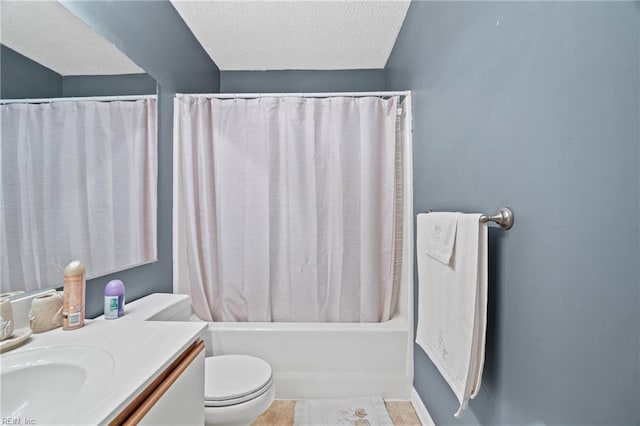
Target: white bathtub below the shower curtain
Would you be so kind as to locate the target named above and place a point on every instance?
(325, 360)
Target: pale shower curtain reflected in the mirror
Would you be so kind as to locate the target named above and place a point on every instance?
(78, 181)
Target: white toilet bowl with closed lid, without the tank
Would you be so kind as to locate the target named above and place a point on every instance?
(238, 388)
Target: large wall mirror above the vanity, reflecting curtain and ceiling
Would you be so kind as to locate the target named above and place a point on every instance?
(47, 52)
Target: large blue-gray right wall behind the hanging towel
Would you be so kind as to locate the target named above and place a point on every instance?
(536, 106)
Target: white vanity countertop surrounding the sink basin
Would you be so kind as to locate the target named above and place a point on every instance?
(140, 351)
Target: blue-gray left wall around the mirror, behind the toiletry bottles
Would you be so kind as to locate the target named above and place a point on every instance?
(154, 36)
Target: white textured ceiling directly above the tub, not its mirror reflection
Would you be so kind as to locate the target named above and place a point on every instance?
(295, 35)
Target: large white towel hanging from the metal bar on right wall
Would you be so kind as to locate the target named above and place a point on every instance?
(452, 302)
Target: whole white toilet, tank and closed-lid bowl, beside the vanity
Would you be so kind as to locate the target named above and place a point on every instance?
(237, 388)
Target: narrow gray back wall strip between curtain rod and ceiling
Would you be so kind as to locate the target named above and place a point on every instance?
(301, 81)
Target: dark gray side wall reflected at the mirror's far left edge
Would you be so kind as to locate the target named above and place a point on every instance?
(20, 77)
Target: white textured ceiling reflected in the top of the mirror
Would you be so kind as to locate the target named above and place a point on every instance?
(46, 32)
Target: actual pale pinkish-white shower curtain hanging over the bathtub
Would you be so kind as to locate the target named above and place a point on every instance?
(284, 207)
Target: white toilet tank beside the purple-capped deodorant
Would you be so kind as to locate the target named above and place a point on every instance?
(159, 307)
